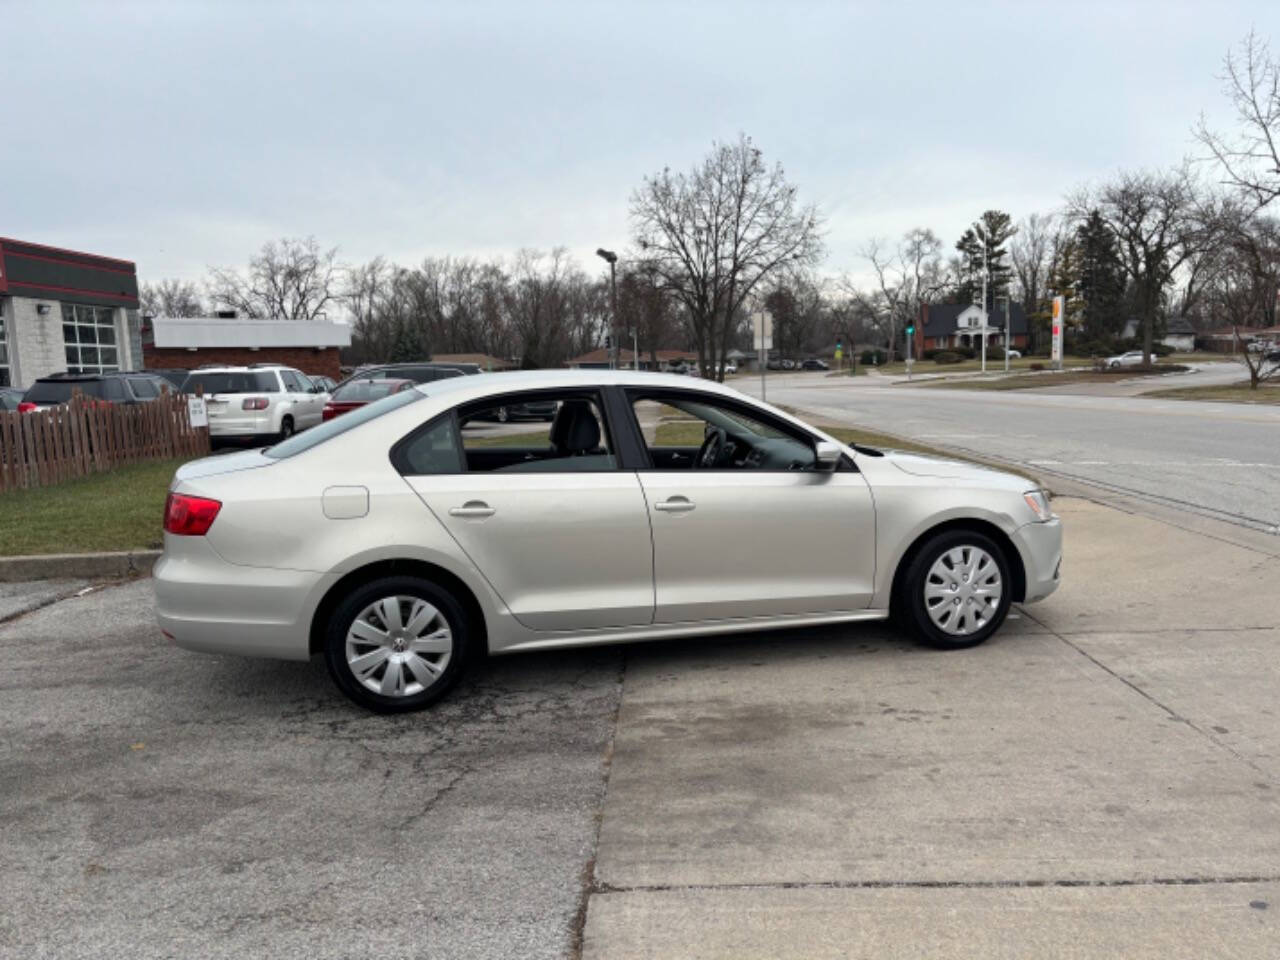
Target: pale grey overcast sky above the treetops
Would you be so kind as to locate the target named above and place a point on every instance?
(185, 135)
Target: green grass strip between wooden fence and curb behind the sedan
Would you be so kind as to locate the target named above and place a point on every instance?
(117, 511)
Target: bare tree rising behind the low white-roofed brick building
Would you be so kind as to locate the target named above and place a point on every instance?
(290, 280)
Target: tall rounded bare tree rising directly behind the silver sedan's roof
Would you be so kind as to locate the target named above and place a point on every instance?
(715, 234)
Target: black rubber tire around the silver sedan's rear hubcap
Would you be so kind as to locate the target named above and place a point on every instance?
(345, 615)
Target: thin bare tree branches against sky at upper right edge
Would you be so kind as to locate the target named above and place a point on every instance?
(1251, 158)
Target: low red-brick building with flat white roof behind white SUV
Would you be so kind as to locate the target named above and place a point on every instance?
(310, 346)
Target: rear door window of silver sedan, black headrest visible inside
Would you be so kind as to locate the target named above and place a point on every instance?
(537, 433)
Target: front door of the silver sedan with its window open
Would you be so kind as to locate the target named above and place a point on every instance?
(743, 523)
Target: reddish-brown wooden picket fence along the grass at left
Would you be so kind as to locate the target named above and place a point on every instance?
(88, 437)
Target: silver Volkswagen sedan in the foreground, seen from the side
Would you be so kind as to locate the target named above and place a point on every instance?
(399, 545)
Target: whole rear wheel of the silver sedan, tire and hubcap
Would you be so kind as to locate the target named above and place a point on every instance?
(397, 644)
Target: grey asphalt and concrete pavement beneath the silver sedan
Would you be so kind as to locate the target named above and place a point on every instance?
(1100, 780)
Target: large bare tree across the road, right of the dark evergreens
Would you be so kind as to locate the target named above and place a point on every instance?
(1156, 225)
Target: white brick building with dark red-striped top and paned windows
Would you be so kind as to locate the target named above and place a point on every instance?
(66, 310)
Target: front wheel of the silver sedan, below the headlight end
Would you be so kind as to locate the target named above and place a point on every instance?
(958, 591)
